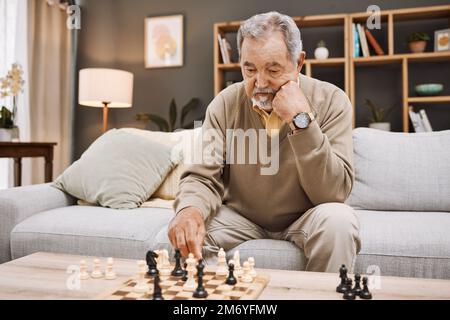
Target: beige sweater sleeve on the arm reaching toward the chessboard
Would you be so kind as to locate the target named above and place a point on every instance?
(201, 184)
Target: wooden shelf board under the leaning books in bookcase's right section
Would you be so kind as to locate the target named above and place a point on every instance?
(397, 58)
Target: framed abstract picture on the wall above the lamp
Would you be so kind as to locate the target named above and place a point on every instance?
(164, 41)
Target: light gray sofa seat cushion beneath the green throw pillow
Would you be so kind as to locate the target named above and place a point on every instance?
(95, 231)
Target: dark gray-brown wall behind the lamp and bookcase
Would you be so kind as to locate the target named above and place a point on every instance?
(112, 36)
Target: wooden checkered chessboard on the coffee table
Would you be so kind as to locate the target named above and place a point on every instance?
(172, 288)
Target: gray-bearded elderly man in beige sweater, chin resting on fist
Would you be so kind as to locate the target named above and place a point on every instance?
(223, 205)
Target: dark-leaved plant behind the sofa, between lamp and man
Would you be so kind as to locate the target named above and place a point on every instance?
(170, 126)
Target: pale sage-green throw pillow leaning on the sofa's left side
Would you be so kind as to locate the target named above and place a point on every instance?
(119, 170)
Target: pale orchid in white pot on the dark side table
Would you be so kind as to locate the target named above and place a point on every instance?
(10, 87)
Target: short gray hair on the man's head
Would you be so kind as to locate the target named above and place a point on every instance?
(259, 25)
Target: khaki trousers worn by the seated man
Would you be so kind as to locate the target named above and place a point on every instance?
(328, 234)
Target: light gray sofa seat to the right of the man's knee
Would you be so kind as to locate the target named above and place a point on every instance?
(409, 244)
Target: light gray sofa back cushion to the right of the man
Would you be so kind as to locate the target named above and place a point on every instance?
(401, 171)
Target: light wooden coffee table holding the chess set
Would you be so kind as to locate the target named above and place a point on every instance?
(45, 276)
